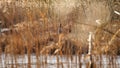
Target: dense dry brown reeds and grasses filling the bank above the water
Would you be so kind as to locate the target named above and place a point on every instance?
(39, 28)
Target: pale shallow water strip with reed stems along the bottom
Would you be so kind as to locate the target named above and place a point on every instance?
(58, 61)
